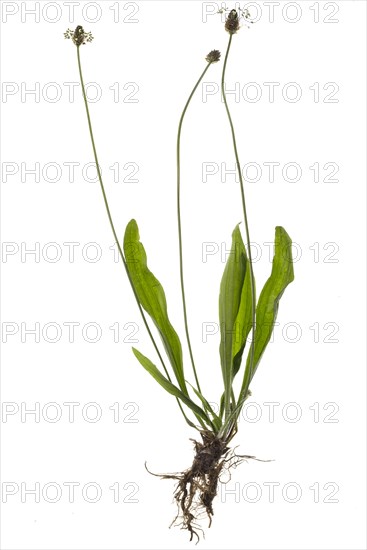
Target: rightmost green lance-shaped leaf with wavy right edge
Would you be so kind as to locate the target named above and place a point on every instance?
(267, 307)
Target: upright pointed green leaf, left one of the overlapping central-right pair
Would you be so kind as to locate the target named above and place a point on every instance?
(229, 303)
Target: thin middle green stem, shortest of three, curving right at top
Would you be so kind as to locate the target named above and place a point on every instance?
(178, 152)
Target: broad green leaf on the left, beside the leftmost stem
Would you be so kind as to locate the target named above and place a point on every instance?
(152, 298)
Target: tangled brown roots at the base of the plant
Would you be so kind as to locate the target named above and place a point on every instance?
(197, 486)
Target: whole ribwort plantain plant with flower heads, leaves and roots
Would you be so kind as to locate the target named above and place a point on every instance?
(239, 315)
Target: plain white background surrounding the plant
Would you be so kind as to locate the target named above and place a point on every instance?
(163, 54)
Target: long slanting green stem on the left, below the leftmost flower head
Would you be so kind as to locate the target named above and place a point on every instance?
(113, 227)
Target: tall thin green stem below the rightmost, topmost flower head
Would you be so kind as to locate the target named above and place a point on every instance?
(238, 166)
